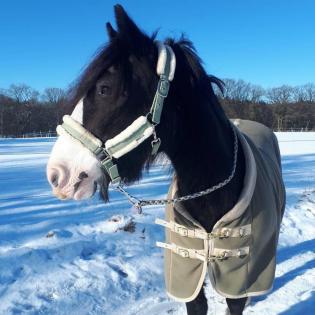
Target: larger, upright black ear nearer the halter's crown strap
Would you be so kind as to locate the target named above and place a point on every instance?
(127, 29)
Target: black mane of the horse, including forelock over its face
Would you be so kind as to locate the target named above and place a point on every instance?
(111, 53)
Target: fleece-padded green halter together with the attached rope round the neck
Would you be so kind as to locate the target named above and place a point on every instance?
(136, 133)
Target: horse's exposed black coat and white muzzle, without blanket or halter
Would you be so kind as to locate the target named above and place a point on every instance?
(117, 87)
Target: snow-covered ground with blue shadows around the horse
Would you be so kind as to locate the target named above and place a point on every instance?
(89, 258)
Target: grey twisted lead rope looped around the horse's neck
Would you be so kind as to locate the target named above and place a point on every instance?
(139, 203)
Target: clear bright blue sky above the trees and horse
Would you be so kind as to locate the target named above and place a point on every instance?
(46, 43)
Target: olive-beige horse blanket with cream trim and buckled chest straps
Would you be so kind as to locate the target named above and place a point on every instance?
(240, 252)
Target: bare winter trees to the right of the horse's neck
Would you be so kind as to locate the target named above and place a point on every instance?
(280, 108)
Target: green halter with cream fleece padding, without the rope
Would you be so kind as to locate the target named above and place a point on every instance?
(136, 133)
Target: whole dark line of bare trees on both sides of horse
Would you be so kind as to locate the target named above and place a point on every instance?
(24, 110)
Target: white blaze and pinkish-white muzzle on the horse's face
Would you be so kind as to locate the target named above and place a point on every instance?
(69, 159)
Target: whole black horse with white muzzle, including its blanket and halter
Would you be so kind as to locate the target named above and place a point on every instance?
(140, 98)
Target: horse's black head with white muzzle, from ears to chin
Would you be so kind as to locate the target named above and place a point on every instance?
(115, 91)
